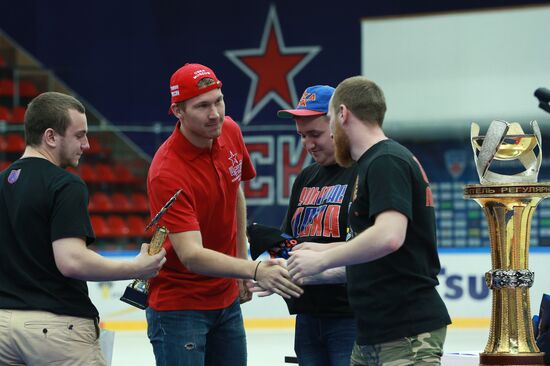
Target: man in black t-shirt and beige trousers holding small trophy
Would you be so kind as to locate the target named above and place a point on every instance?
(46, 315)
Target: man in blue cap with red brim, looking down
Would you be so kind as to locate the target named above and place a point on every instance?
(318, 211)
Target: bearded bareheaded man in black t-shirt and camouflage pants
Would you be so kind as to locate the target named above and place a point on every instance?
(391, 253)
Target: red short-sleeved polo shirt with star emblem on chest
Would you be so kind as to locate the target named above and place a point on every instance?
(209, 179)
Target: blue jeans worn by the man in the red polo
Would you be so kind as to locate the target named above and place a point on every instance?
(198, 337)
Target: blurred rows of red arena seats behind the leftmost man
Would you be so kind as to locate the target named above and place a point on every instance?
(118, 205)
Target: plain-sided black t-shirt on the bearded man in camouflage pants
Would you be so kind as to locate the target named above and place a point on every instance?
(395, 296)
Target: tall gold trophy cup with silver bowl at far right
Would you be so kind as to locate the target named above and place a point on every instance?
(509, 202)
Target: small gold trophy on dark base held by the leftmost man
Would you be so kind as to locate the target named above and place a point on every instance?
(136, 292)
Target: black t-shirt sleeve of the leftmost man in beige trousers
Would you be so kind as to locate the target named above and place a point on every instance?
(70, 217)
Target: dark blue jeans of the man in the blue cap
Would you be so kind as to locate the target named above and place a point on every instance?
(324, 341)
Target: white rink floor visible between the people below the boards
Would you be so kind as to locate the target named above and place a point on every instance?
(269, 347)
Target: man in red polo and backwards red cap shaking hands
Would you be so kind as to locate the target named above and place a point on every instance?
(194, 316)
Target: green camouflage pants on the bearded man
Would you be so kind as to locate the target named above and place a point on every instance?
(422, 349)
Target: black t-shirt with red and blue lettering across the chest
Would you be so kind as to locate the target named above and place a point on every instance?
(318, 212)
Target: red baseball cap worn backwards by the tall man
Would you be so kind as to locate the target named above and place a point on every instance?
(184, 83)
